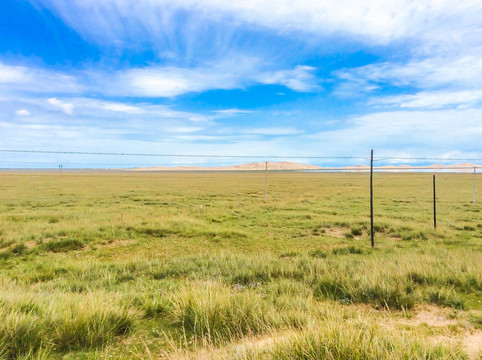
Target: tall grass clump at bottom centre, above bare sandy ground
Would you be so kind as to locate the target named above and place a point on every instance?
(216, 313)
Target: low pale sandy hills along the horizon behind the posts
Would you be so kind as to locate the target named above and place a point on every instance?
(286, 165)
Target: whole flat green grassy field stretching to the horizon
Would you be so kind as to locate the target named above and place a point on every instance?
(131, 266)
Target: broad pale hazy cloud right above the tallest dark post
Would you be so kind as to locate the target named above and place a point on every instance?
(420, 133)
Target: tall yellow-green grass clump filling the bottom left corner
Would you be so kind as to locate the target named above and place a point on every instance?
(57, 322)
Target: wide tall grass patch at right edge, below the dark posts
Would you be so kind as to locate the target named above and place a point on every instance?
(392, 281)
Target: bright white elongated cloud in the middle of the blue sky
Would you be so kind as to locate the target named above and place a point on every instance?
(231, 73)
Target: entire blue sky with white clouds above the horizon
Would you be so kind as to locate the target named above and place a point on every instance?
(246, 78)
